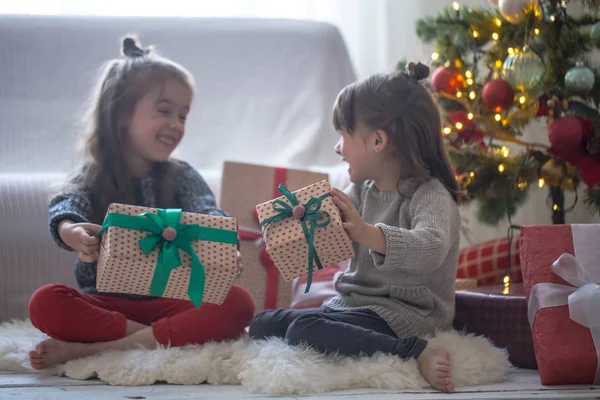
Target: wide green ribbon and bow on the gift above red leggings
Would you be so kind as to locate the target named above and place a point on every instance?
(168, 255)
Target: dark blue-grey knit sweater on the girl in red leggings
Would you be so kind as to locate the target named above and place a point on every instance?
(192, 194)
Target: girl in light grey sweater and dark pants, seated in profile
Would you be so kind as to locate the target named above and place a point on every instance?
(401, 213)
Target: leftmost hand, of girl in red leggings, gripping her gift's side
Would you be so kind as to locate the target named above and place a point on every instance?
(80, 238)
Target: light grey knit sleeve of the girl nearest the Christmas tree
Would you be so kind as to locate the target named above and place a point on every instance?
(435, 225)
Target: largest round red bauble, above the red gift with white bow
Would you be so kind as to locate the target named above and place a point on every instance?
(566, 135)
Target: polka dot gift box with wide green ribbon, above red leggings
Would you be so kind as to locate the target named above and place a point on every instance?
(167, 253)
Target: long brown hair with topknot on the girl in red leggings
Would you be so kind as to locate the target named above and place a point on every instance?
(123, 82)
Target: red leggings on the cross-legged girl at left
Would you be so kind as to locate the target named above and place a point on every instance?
(65, 314)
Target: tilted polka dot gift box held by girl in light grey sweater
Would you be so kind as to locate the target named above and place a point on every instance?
(303, 231)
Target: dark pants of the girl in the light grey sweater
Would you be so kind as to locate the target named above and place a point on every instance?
(349, 333)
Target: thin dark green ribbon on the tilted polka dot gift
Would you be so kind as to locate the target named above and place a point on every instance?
(312, 214)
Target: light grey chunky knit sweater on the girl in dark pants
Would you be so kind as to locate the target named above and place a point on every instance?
(412, 286)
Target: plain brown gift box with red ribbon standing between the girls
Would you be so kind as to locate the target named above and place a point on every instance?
(244, 186)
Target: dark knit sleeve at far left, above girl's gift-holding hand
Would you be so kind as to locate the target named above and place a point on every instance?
(70, 204)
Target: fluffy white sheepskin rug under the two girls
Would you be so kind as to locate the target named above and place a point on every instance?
(270, 367)
